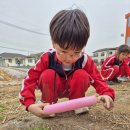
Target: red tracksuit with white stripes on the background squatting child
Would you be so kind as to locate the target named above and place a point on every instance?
(112, 68)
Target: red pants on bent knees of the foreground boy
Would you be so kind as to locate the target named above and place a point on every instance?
(74, 87)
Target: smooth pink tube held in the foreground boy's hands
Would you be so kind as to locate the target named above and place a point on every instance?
(70, 105)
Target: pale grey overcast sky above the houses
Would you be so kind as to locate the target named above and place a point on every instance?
(24, 24)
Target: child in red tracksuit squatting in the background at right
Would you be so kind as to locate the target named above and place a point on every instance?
(114, 67)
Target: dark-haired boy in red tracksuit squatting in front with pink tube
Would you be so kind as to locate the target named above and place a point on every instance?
(66, 71)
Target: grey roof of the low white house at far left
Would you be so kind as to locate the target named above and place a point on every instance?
(12, 55)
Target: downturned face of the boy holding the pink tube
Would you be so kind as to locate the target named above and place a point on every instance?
(68, 56)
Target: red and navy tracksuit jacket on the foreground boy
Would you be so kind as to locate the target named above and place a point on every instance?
(47, 61)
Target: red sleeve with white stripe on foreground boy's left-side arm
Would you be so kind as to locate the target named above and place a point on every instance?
(27, 93)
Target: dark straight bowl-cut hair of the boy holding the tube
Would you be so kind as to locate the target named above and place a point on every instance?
(70, 29)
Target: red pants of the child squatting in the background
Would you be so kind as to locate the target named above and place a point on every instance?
(113, 72)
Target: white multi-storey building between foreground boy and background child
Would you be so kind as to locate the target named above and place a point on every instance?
(100, 55)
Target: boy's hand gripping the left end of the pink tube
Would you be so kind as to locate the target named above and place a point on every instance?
(37, 109)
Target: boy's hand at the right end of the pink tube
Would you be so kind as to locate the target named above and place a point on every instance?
(107, 101)
